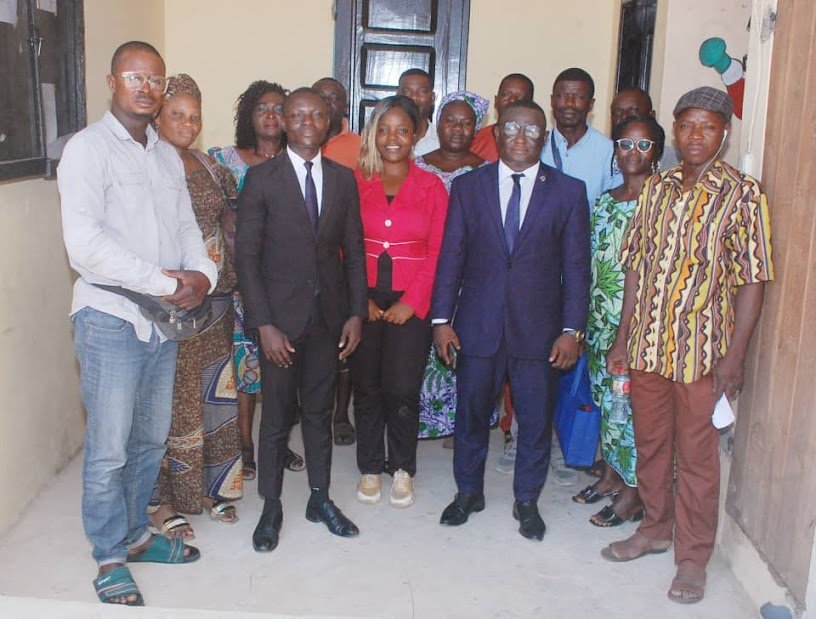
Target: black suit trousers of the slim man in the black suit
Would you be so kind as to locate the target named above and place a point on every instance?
(313, 375)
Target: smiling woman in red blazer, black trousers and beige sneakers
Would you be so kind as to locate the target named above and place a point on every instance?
(403, 211)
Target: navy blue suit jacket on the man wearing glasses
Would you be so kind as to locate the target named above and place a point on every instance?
(526, 297)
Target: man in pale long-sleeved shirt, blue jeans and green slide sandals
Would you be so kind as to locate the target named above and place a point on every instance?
(127, 221)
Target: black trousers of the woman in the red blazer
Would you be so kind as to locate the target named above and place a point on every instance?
(386, 373)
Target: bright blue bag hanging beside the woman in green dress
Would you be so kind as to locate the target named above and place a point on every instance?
(577, 419)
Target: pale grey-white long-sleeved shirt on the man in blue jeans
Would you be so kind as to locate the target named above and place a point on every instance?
(126, 215)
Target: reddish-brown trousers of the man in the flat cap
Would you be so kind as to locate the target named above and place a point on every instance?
(672, 417)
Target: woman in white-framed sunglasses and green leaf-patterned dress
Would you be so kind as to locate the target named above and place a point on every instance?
(639, 145)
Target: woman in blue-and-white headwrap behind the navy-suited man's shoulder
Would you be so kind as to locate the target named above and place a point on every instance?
(460, 116)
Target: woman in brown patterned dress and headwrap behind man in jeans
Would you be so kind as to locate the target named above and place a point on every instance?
(202, 466)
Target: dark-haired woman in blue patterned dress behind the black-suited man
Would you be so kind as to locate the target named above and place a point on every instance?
(258, 138)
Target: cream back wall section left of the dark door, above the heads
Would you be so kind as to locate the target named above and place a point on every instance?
(226, 46)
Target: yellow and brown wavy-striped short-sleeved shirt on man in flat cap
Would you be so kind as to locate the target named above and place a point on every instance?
(691, 251)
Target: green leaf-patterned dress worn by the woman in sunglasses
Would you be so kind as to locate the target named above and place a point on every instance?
(608, 222)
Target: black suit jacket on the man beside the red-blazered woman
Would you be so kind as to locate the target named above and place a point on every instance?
(281, 264)
